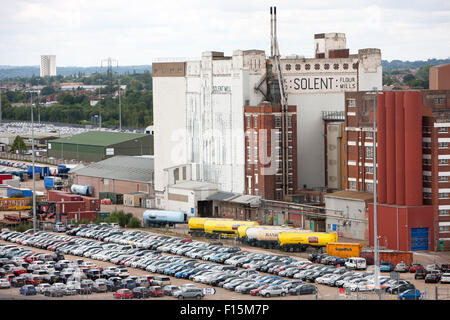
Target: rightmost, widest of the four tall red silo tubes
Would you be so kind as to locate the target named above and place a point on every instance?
(413, 149)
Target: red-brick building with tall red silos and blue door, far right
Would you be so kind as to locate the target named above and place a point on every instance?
(412, 164)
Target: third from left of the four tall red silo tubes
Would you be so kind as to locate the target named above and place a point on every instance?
(399, 149)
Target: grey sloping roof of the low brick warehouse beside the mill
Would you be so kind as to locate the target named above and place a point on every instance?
(126, 168)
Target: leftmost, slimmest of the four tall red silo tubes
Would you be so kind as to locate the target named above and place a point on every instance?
(381, 148)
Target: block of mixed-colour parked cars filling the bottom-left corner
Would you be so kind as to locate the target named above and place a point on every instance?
(53, 276)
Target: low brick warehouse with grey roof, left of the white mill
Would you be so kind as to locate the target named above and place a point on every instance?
(119, 174)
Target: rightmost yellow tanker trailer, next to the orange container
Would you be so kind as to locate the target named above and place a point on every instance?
(296, 241)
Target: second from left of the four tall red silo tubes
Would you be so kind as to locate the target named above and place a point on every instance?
(390, 148)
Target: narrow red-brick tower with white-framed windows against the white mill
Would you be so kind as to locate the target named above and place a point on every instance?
(264, 151)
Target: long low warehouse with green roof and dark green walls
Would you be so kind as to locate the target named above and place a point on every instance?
(94, 146)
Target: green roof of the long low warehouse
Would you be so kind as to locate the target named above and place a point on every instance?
(99, 138)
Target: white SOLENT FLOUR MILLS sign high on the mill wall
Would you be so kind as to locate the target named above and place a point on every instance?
(321, 84)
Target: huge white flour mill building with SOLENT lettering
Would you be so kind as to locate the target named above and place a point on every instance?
(200, 110)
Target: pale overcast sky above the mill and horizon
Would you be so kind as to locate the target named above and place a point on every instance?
(83, 32)
